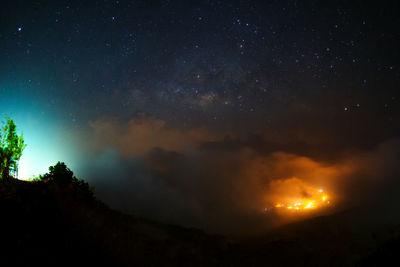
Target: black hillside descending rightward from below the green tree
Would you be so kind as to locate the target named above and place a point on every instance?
(53, 224)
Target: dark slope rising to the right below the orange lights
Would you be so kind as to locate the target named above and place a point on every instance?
(349, 238)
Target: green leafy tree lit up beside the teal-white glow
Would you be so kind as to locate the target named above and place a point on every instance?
(11, 147)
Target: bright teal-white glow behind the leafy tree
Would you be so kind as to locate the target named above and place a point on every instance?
(45, 135)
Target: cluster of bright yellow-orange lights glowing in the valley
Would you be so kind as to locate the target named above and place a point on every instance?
(317, 200)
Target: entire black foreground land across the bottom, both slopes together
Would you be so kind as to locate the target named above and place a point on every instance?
(57, 225)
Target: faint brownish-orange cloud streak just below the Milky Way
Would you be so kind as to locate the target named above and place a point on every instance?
(142, 133)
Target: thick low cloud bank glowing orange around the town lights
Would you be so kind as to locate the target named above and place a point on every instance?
(224, 186)
